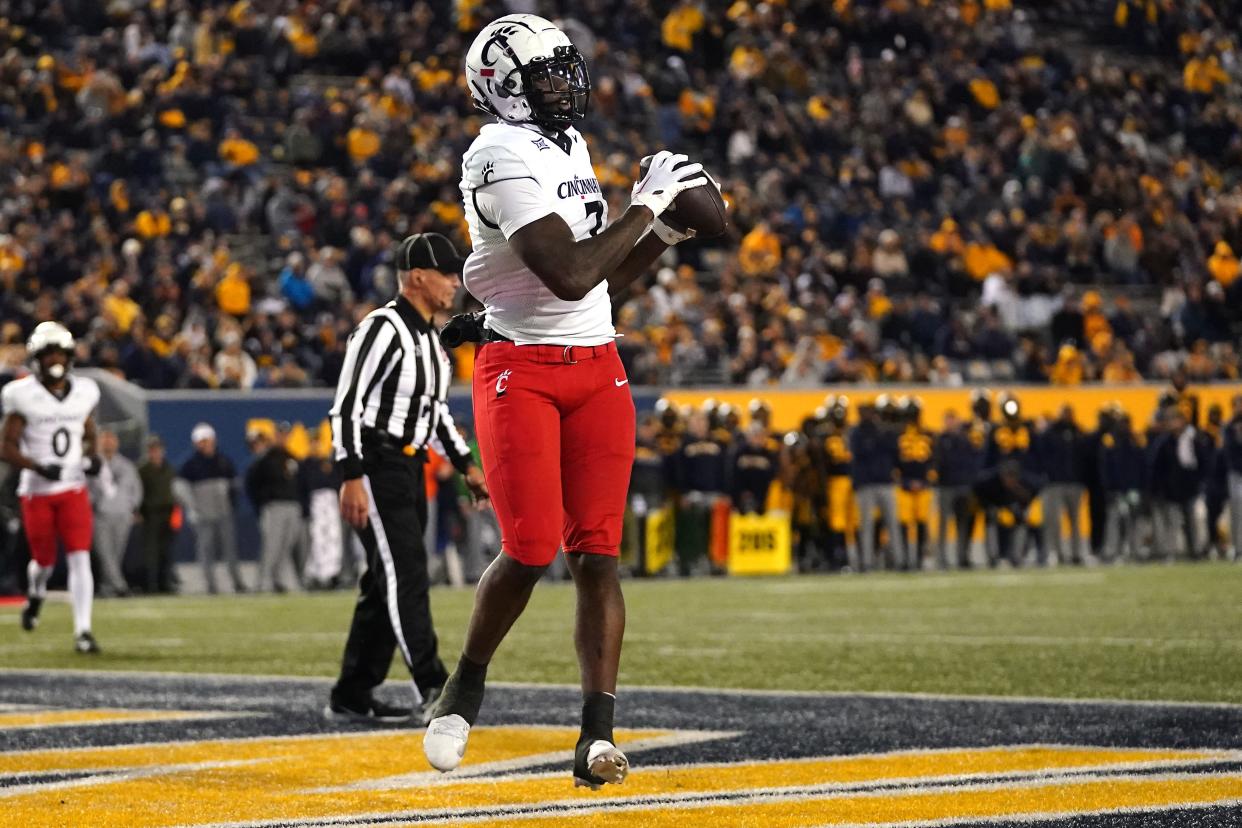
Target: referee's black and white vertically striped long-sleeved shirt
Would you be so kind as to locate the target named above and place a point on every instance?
(396, 380)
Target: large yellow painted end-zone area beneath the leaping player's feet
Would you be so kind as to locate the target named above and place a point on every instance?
(383, 776)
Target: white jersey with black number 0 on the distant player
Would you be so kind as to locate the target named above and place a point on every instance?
(54, 430)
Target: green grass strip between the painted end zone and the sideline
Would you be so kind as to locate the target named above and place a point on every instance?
(1146, 632)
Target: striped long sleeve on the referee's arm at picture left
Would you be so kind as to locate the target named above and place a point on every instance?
(368, 351)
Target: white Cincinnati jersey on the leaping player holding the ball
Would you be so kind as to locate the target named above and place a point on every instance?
(512, 176)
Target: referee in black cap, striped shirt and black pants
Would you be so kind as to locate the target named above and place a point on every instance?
(391, 408)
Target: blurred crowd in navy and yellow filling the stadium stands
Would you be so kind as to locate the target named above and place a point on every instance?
(207, 192)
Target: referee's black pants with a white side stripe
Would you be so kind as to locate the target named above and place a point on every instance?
(393, 610)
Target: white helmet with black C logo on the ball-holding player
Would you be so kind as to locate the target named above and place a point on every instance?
(522, 69)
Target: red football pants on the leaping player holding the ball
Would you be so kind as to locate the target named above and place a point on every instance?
(556, 430)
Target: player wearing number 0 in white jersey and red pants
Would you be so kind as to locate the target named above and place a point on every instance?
(49, 434)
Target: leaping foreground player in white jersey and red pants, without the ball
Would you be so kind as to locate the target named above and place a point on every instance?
(555, 416)
